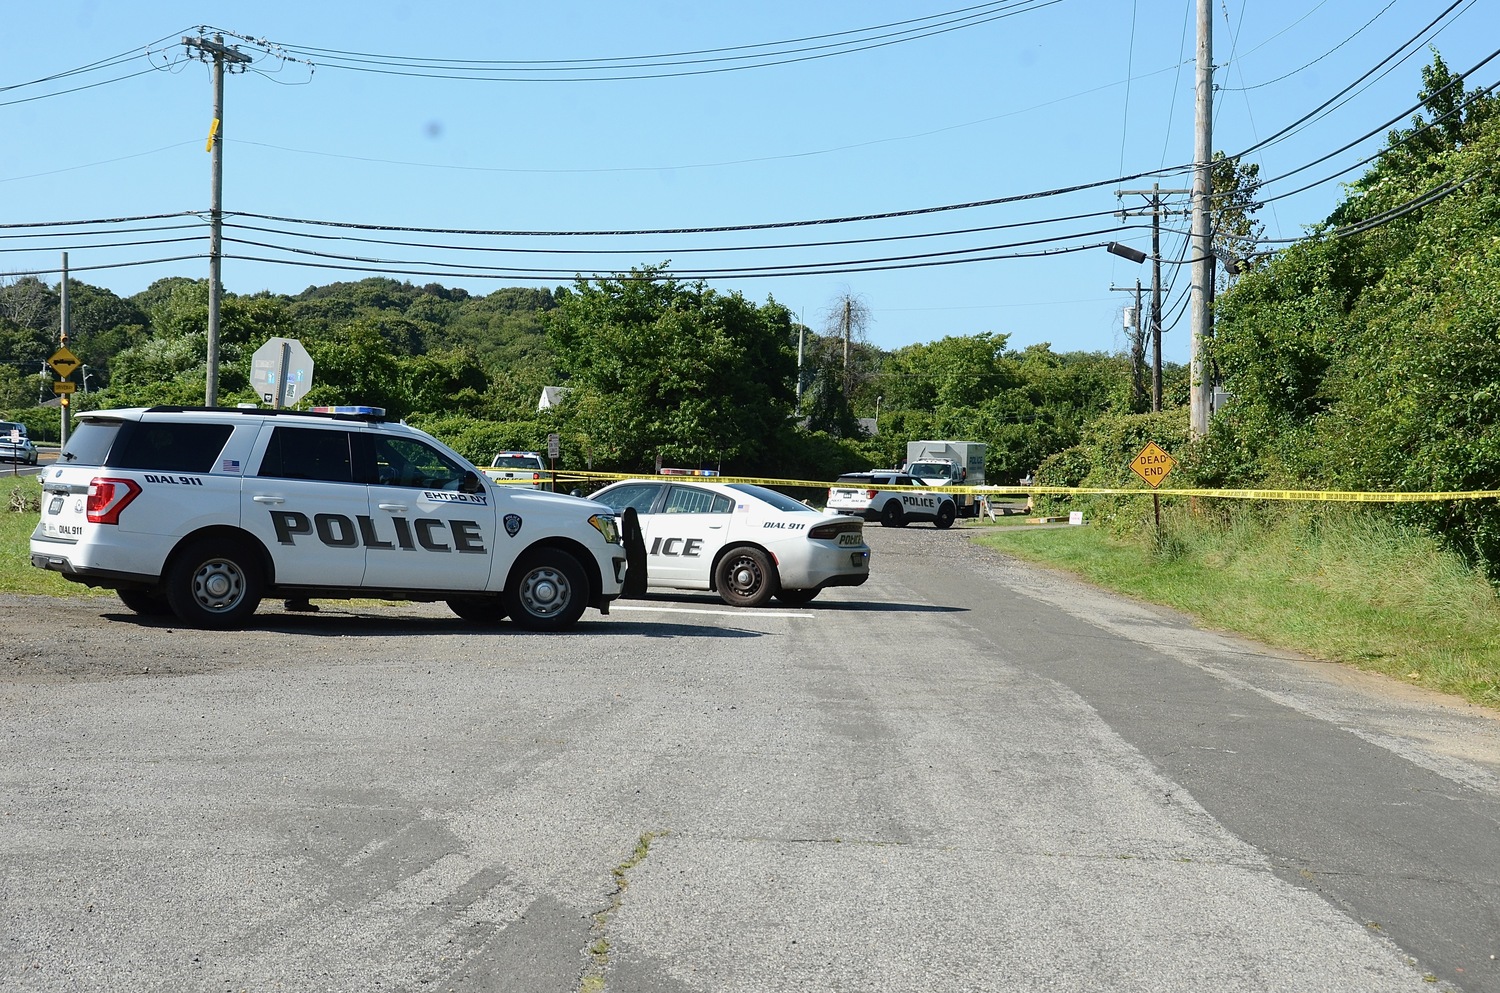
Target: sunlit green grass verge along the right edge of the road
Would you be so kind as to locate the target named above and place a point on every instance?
(1343, 586)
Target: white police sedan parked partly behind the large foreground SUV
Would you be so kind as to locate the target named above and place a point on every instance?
(748, 544)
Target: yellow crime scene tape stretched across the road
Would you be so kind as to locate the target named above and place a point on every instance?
(1312, 496)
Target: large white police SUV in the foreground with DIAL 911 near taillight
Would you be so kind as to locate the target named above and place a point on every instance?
(205, 512)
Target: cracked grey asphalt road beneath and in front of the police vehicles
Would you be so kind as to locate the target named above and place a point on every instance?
(968, 775)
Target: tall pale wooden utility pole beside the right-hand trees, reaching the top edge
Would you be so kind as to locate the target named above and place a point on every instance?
(1202, 238)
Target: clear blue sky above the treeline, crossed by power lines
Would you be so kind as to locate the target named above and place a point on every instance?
(547, 122)
